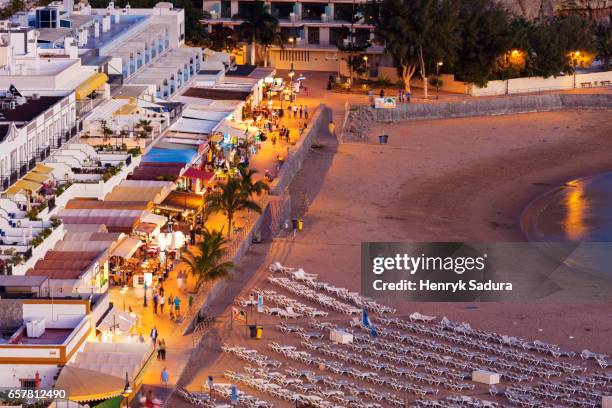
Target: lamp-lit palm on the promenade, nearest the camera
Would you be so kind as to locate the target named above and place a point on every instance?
(205, 261)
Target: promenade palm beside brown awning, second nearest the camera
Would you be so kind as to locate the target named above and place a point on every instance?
(230, 199)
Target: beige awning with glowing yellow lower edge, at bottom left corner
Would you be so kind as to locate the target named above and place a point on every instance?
(84, 385)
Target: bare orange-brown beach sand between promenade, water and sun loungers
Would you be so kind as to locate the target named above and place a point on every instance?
(443, 180)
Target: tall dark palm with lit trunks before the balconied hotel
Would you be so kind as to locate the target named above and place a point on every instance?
(258, 27)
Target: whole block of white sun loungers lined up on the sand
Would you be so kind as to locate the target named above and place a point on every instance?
(418, 355)
